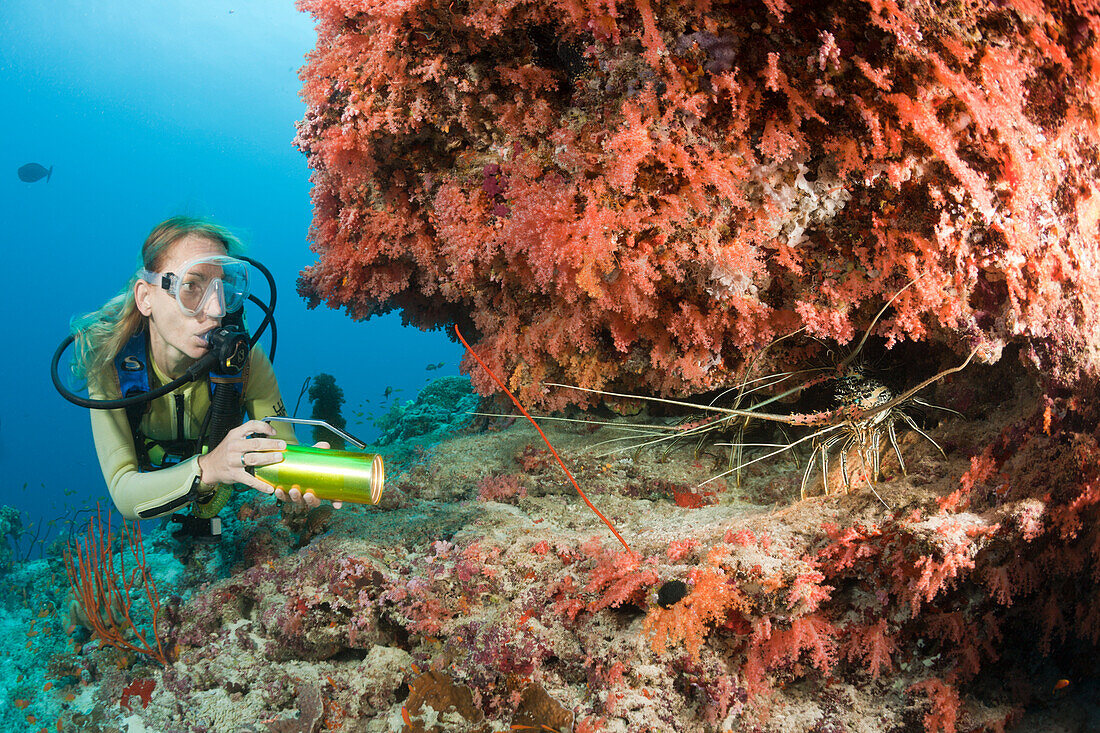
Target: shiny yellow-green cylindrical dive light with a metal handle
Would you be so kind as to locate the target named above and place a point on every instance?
(338, 476)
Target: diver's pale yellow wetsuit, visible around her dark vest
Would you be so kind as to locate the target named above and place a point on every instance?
(156, 494)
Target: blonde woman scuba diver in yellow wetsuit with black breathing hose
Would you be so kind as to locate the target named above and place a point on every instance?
(180, 322)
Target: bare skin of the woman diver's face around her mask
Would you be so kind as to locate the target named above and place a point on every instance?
(175, 338)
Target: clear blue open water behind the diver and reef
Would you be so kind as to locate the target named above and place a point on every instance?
(147, 111)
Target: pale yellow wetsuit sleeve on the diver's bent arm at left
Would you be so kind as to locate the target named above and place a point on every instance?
(136, 494)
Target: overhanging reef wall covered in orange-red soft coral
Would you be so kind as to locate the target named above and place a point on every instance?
(641, 194)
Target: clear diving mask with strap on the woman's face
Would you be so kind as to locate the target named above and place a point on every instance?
(216, 277)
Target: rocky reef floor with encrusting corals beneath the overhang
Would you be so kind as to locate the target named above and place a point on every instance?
(483, 595)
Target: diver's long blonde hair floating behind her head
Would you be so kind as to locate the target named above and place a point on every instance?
(101, 335)
